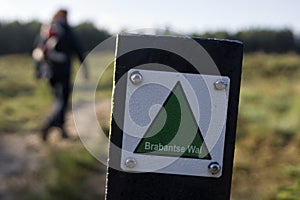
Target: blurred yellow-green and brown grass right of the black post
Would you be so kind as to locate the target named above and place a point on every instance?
(267, 161)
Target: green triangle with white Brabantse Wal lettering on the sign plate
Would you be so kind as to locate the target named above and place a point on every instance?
(174, 131)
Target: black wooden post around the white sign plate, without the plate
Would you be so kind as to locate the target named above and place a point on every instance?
(168, 54)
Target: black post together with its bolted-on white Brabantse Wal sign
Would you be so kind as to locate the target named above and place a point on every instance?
(173, 118)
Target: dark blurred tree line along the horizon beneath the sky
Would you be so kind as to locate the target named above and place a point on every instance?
(17, 37)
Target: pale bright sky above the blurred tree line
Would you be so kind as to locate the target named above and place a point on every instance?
(182, 16)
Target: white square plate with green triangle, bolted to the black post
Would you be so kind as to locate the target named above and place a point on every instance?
(174, 123)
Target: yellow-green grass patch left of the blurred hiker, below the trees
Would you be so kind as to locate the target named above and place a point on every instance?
(23, 99)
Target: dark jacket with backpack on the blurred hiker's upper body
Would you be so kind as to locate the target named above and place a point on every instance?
(58, 49)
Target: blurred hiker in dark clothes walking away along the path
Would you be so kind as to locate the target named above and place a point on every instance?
(52, 55)
